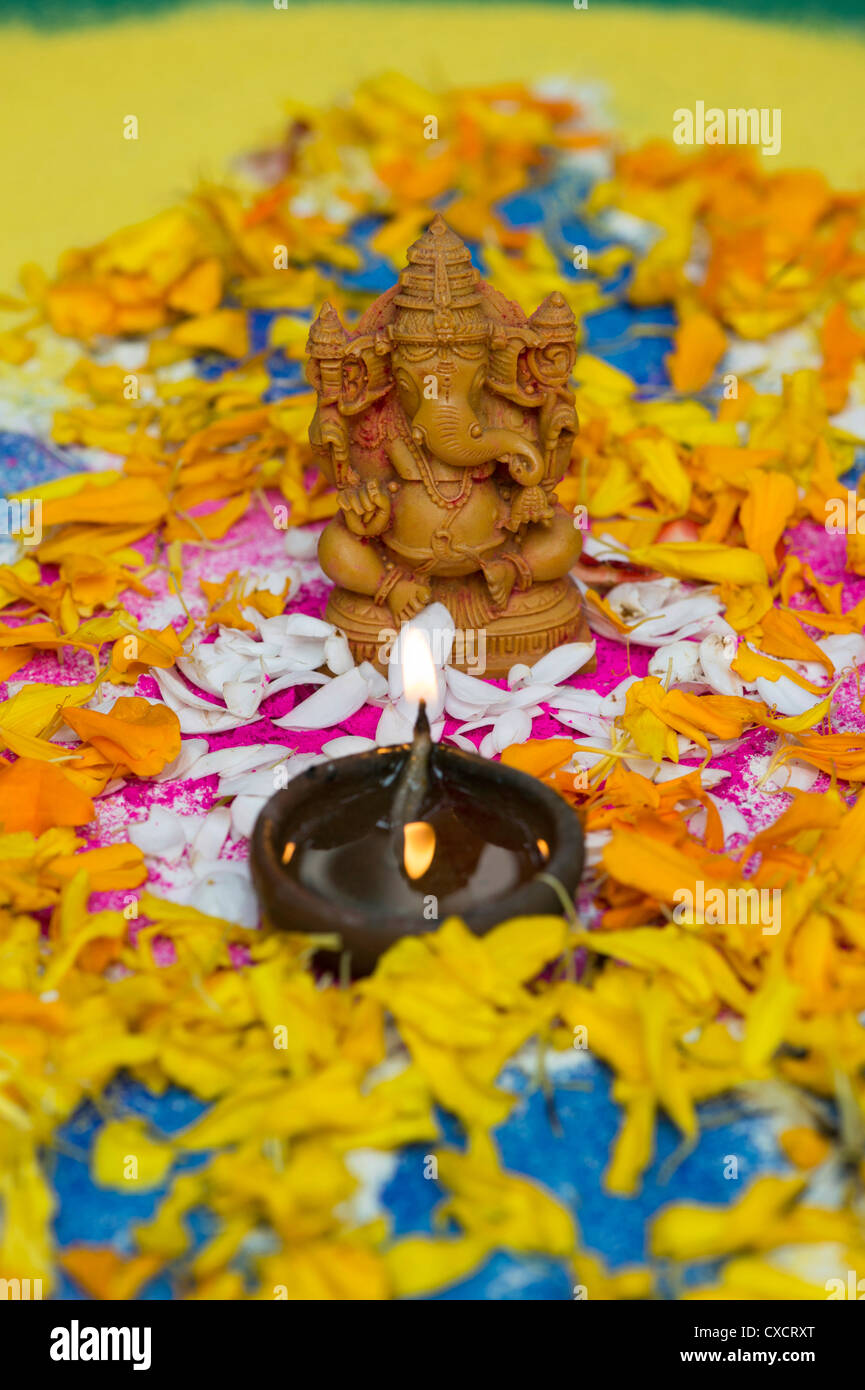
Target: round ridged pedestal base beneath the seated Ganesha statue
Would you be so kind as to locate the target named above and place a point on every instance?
(489, 641)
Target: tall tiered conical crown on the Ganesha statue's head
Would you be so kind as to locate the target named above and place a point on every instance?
(437, 295)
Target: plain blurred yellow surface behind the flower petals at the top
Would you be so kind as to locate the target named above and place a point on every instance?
(209, 83)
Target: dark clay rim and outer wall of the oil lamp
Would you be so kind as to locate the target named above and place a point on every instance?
(293, 907)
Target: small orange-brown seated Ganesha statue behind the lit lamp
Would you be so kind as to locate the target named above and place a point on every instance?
(446, 422)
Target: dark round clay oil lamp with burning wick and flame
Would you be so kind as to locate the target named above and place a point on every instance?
(393, 842)
